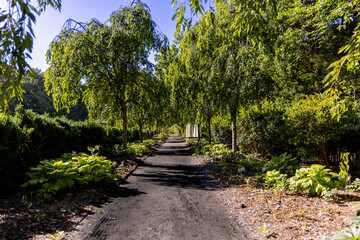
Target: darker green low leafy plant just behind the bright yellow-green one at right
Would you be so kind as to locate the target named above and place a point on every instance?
(285, 163)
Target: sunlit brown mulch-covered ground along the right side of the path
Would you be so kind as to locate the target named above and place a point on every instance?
(278, 214)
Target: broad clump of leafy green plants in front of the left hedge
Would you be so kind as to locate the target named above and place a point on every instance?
(56, 175)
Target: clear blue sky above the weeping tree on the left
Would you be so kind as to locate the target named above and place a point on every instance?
(50, 22)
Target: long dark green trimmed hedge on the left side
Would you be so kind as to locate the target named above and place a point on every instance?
(28, 138)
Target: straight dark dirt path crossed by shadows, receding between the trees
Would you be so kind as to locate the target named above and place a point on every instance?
(169, 198)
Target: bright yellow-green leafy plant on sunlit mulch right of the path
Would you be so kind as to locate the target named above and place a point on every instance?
(316, 179)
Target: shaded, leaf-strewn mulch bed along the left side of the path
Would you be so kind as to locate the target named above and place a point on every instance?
(22, 220)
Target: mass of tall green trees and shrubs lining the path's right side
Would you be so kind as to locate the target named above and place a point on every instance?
(272, 76)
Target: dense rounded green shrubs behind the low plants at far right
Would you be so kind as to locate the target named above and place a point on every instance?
(305, 127)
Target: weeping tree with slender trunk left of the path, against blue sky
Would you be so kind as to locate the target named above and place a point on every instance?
(105, 58)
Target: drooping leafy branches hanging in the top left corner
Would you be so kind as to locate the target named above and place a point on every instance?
(16, 42)
